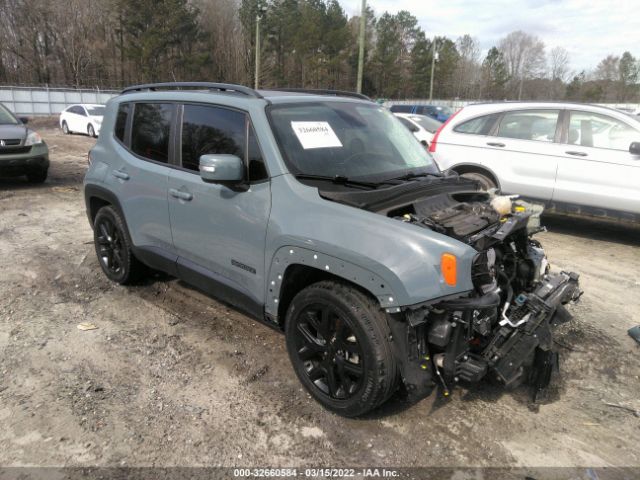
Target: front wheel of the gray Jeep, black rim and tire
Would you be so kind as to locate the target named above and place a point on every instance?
(354, 370)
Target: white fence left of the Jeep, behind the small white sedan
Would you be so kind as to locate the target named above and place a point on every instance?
(36, 101)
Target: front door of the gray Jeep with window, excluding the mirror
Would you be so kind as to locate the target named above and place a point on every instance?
(219, 230)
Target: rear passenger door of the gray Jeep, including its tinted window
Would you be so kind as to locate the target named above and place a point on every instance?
(139, 173)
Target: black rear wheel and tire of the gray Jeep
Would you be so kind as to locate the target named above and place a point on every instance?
(113, 248)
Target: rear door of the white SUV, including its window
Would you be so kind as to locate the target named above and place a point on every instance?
(522, 153)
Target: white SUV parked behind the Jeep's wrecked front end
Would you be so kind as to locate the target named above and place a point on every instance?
(574, 158)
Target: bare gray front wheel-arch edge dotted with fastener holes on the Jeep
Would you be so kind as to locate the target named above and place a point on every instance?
(294, 255)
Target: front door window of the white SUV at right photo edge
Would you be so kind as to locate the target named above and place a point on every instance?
(594, 130)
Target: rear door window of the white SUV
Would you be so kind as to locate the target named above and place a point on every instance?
(537, 125)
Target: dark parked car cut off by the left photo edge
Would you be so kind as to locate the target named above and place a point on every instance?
(22, 150)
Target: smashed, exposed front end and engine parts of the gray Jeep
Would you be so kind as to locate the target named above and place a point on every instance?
(503, 329)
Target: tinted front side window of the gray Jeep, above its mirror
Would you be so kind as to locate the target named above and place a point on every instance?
(211, 130)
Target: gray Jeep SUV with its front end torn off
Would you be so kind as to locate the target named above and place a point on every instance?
(319, 214)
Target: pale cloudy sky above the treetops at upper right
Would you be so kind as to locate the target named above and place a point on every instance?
(589, 29)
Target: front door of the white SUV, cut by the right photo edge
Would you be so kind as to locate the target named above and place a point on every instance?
(596, 169)
